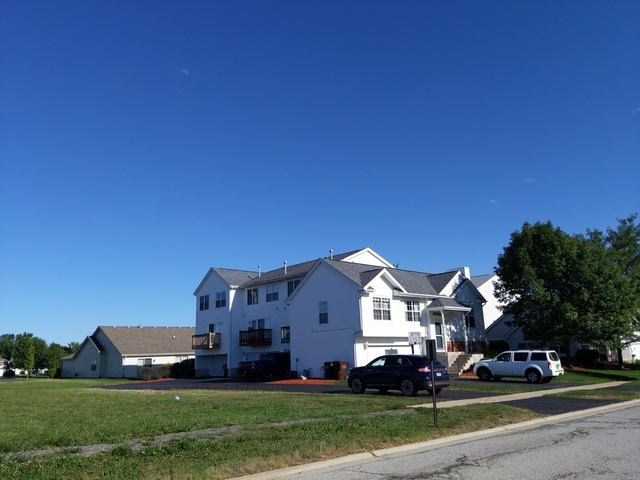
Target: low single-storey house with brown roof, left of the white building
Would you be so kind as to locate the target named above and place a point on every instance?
(120, 352)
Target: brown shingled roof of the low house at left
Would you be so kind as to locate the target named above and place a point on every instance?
(150, 340)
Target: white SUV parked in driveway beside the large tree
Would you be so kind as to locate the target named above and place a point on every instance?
(534, 365)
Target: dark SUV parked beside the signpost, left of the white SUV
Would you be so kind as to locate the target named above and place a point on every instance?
(407, 373)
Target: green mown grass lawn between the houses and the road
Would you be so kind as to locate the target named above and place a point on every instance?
(265, 430)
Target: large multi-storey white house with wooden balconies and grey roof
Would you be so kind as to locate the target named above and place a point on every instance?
(350, 307)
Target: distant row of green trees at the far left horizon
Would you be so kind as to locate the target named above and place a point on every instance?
(28, 352)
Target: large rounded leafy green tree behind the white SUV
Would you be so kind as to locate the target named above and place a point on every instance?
(561, 288)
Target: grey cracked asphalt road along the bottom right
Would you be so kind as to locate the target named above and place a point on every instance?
(600, 446)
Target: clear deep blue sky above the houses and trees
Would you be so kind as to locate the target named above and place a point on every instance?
(143, 142)
